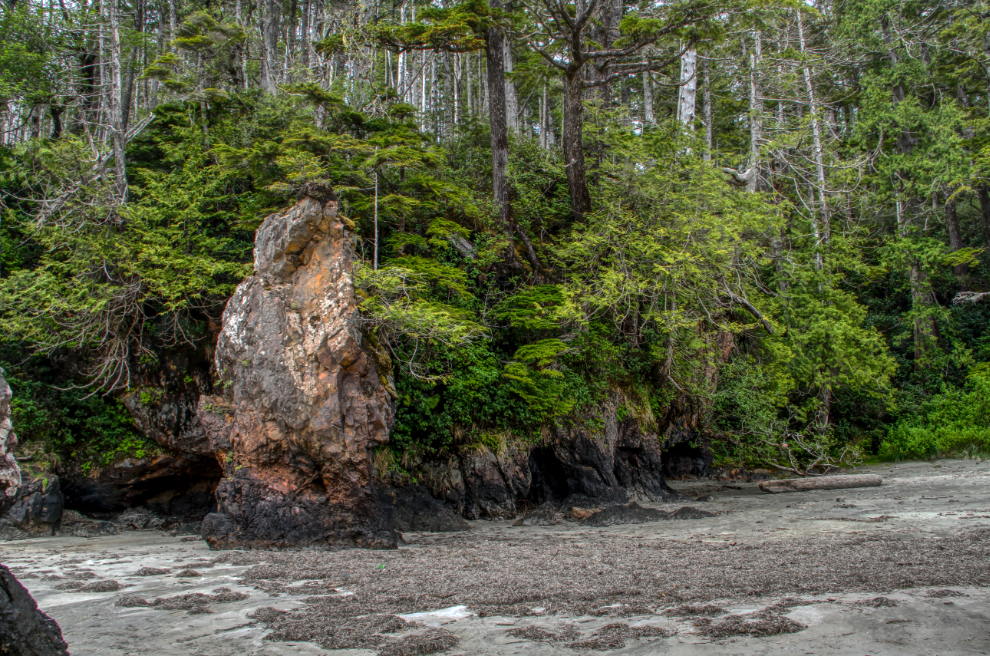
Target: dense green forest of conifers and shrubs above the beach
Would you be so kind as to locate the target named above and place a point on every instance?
(763, 222)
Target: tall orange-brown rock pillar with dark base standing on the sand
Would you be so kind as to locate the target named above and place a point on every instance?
(303, 399)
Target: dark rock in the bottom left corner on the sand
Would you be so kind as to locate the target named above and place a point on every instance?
(25, 630)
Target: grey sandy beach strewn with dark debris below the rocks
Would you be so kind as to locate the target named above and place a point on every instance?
(899, 569)
